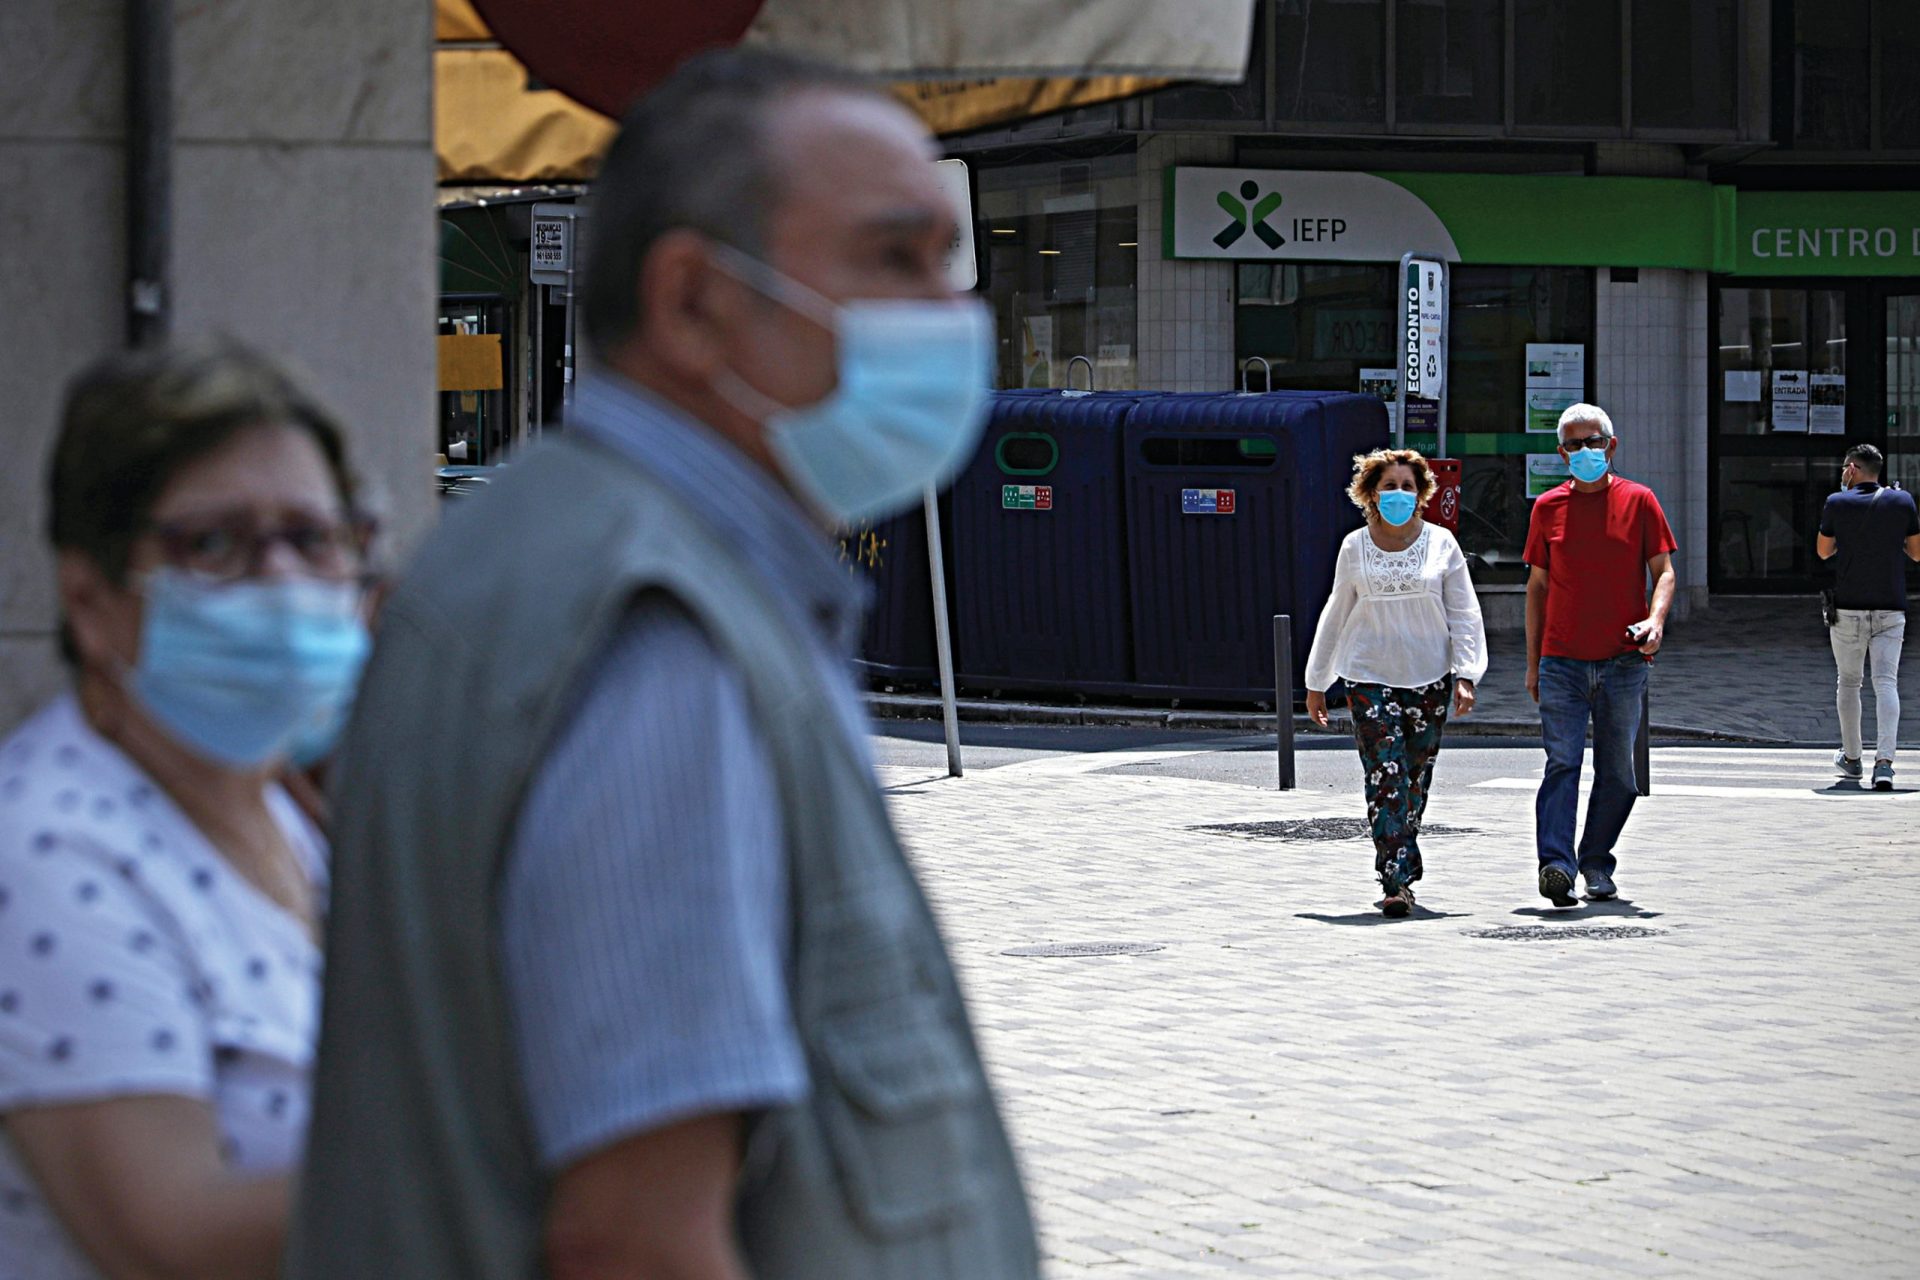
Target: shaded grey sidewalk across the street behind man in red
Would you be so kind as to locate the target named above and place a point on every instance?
(1754, 669)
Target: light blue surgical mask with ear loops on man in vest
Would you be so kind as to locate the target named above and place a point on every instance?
(909, 406)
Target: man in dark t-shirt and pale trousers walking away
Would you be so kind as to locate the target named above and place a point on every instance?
(1869, 533)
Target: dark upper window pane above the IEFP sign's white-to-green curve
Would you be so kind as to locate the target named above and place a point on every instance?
(1449, 62)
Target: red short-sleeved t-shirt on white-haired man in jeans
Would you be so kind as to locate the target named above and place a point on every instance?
(1595, 550)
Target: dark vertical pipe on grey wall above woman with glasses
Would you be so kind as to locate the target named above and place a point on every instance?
(149, 170)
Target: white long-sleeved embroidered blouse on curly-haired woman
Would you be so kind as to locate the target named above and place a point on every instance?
(1401, 619)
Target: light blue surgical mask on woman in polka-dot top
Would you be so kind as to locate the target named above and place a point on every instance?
(243, 673)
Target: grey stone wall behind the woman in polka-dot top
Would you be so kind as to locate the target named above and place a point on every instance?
(304, 225)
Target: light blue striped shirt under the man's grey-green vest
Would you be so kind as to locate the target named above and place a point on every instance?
(644, 911)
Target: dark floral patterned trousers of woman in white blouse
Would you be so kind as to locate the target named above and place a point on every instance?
(1399, 736)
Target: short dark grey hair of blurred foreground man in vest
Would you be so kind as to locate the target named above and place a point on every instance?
(690, 156)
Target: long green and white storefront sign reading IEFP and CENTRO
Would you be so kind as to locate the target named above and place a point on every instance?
(1539, 222)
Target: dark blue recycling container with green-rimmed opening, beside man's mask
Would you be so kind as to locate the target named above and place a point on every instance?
(1040, 548)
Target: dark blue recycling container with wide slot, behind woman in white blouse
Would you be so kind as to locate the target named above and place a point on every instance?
(1236, 511)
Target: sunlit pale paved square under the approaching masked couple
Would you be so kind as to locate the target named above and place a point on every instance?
(1714, 1079)
